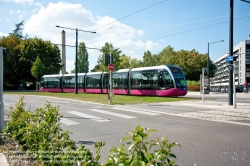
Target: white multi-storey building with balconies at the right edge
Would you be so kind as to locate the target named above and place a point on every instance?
(241, 52)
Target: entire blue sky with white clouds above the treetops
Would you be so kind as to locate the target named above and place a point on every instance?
(133, 26)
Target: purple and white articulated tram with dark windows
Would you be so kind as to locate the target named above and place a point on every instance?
(164, 80)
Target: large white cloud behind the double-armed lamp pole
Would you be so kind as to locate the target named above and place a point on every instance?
(42, 24)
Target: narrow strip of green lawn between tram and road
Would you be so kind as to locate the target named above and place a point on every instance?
(103, 98)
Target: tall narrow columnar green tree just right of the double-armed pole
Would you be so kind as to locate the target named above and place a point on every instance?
(83, 59)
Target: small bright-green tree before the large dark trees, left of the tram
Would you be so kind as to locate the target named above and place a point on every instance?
(38, 69)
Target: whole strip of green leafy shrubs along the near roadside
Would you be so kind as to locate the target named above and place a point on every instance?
(37, 138)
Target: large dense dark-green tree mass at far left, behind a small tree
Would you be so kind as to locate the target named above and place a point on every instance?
(22, 55)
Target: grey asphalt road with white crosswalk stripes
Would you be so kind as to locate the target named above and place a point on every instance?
(205, 141)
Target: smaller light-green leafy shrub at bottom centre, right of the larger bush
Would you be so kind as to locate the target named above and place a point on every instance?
(138, 153)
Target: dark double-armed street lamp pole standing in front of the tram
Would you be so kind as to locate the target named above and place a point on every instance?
(76, 69)
